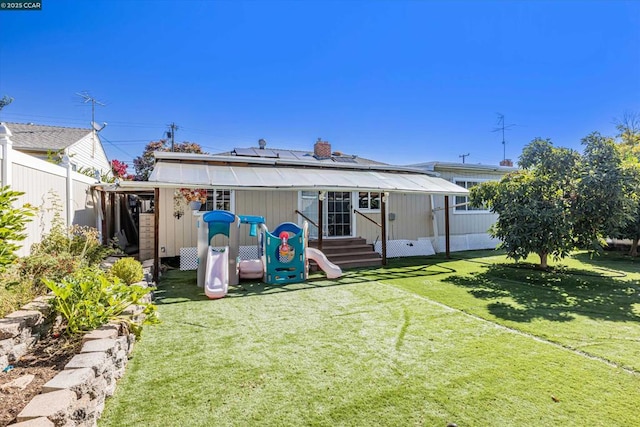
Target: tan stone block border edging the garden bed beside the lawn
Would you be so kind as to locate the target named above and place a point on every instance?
(76, 395)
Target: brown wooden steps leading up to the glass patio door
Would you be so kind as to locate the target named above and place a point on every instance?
(348, 252)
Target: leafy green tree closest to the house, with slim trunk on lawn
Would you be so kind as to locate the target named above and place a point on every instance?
(533, 203)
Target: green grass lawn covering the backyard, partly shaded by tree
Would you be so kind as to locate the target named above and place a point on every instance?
(424, 342)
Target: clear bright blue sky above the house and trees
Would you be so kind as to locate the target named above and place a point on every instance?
(395, 81)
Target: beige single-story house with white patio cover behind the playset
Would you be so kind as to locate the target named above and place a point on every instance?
(333, 190)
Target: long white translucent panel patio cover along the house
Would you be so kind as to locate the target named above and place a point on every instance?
(269, 177)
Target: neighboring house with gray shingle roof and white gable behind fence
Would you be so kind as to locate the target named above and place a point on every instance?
(82, 145)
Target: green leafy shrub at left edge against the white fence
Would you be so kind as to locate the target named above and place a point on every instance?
(12, 224)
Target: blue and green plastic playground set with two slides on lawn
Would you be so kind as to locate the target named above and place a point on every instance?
(283, 254)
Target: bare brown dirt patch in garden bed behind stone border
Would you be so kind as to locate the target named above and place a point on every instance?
(47, 357)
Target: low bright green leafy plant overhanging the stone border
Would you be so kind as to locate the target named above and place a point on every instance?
(90, 298)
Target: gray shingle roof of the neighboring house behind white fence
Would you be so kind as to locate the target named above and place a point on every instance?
(44, 138)
